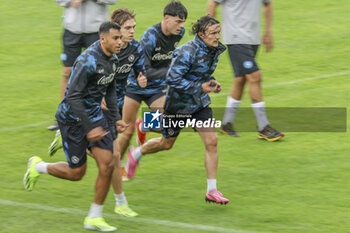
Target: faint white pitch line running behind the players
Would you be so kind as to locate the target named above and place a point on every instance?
(211, 96)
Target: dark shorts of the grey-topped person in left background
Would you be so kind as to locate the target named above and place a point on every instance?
(74, 43)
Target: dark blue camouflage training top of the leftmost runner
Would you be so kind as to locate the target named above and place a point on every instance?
(91, 79)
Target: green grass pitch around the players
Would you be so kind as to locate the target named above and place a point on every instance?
(298, 185)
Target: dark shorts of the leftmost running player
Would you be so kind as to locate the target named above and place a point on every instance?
(75, 142)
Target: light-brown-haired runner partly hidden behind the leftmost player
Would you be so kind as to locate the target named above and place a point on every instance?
(130, 58)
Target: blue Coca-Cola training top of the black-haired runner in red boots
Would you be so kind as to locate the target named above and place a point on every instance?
(158, 49)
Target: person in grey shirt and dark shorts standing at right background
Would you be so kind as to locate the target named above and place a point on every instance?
(241, 34)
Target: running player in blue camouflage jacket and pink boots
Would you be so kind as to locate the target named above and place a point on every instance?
(189, 81)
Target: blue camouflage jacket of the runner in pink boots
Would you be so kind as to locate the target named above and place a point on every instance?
(192, 65)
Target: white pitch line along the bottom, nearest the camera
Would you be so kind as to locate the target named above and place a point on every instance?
(137, 219)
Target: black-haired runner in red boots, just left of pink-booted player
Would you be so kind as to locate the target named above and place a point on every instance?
(158, 43)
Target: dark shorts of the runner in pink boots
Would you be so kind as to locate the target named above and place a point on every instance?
(201, 115)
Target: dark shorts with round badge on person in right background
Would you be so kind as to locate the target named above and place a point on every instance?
(242, 58)
